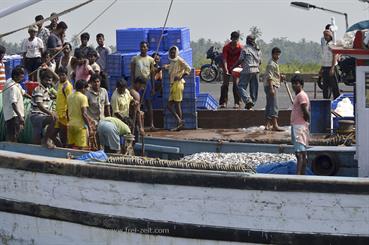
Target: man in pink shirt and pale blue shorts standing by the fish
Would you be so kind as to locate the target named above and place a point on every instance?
(300, 118)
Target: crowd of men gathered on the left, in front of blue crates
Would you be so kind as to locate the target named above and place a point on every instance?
(70, 106)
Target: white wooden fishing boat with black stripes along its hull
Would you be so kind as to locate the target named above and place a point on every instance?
(47, 198)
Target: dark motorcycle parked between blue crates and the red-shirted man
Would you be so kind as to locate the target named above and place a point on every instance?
(210, 72)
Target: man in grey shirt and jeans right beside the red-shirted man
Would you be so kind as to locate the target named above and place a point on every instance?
(250, 58)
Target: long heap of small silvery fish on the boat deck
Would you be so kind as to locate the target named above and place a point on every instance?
(239, 162)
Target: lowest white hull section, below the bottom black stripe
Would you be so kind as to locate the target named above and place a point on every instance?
(20, 229)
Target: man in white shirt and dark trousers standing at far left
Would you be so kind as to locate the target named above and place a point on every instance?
(13, 107)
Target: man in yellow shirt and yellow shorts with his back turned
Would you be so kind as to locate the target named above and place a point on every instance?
(78, 119)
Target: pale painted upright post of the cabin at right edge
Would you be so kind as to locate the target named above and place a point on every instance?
(362, 125)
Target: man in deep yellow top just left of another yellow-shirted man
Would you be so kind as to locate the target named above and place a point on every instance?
(65, 88)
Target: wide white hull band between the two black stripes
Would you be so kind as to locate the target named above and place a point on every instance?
(247, 209)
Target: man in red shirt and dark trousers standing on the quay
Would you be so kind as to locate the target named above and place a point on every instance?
(231, 54)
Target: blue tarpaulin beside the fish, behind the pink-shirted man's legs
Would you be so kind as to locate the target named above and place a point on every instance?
(280, 168)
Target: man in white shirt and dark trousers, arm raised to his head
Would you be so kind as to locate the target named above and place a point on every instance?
(328, 70)
